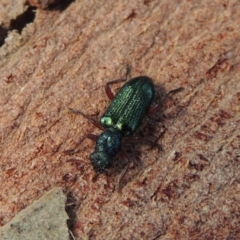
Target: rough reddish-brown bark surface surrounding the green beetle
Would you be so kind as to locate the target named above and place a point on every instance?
(62, 57)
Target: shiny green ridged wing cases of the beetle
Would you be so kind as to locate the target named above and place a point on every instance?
(129, 106)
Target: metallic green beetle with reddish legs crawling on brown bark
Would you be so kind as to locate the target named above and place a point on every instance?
(121, 119)
